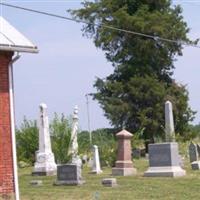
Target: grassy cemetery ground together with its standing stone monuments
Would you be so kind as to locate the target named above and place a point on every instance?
(160, 175)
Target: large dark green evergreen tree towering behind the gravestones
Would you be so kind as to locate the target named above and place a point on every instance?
(134, 95)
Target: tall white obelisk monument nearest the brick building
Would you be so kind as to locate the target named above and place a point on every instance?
(45, 163)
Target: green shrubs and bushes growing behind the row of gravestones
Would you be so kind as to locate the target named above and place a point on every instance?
(60, 130)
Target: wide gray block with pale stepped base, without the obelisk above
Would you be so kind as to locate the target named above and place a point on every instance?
(164, 161)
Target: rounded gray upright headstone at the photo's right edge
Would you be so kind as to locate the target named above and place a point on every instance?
(193, 154)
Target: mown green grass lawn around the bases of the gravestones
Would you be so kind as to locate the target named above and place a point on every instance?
(130, 188)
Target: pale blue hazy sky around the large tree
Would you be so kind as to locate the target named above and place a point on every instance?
(67, 64)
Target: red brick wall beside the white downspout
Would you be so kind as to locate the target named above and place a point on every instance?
(6, 162)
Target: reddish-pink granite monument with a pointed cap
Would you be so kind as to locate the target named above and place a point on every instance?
(124, 164)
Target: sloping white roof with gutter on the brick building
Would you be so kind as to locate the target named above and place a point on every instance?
(12, 40)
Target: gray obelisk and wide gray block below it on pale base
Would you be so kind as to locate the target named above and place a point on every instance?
(164, 158)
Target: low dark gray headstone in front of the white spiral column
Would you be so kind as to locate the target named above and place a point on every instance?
(69, 174)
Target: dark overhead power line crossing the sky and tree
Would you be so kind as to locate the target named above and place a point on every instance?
(102, 25)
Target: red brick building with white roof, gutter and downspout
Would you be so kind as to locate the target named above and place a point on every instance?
(12, 43)
